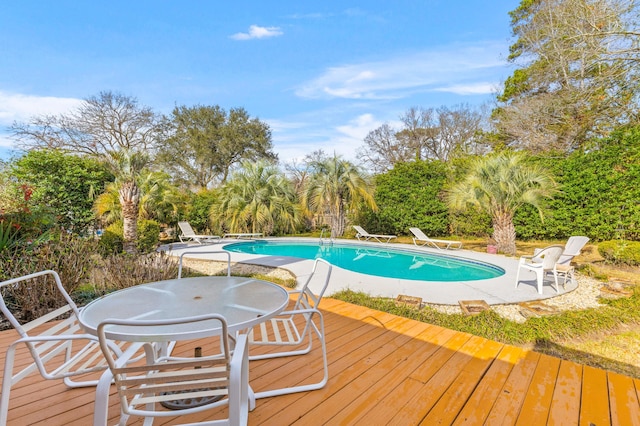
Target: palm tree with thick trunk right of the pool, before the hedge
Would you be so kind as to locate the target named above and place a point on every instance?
(500, 184)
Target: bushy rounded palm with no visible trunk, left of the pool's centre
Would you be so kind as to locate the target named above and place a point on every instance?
(257, 198)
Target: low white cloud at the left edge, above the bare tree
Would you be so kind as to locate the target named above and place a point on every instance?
(19, 107)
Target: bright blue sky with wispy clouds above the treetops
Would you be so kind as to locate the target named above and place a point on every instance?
(321, 74)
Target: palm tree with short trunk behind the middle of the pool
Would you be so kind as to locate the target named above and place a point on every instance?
(337, 187)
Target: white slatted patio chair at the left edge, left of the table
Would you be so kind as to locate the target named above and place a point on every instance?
(60, 351)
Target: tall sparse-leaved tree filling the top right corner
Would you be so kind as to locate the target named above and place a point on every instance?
(578, 74)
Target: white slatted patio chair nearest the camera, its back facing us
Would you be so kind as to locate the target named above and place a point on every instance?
(162, 379)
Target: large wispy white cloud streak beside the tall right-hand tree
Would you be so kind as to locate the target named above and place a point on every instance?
(462, 69)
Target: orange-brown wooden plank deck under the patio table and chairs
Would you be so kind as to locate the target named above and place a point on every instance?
(390, 370)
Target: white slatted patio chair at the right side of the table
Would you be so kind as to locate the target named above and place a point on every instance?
(285, 331)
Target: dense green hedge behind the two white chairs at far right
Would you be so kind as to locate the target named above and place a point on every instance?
(599, 197)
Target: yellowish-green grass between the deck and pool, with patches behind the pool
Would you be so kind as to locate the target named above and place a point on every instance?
(606, 337)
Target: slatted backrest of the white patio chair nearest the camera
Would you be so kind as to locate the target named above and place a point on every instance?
(159, 380)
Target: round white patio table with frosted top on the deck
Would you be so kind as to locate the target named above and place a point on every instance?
(244, 302)
